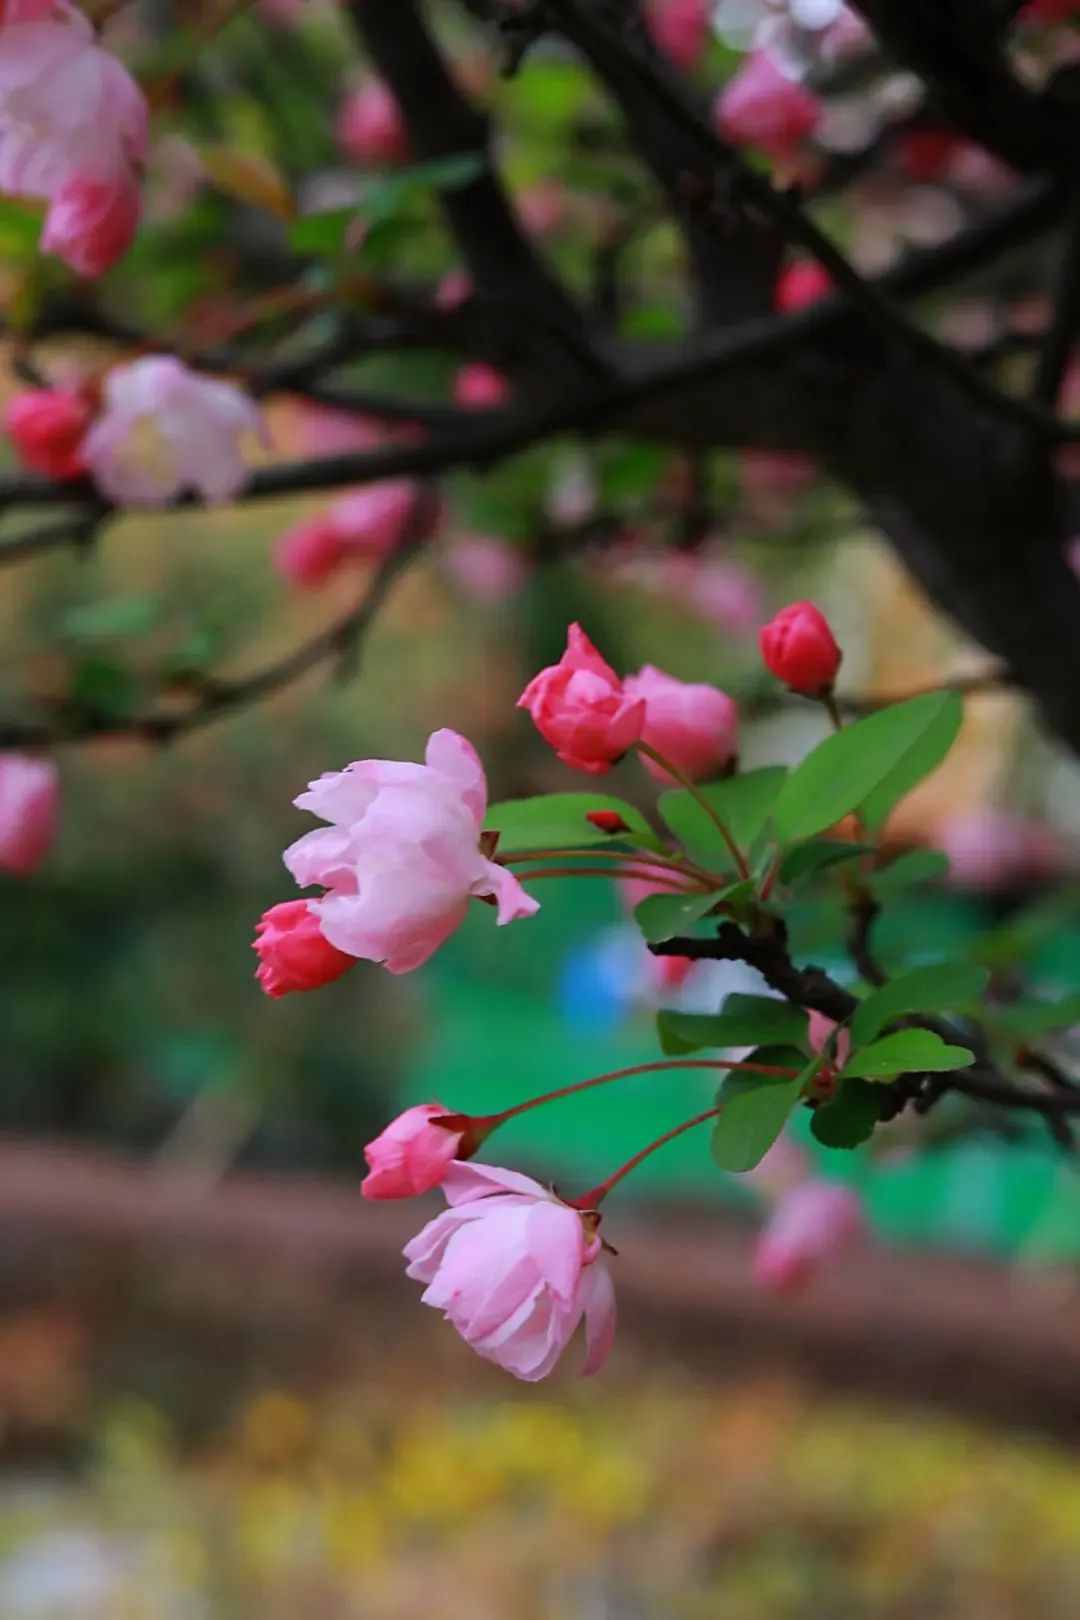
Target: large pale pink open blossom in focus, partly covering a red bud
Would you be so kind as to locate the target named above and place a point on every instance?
(402, 855)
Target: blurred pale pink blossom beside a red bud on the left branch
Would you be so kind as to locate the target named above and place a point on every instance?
(166, 430)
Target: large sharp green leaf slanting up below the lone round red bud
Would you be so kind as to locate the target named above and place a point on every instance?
(875, 762)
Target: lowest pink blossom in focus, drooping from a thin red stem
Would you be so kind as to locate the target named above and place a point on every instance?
(516, 1273)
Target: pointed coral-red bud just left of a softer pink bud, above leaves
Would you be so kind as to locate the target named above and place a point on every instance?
(580, 707)
